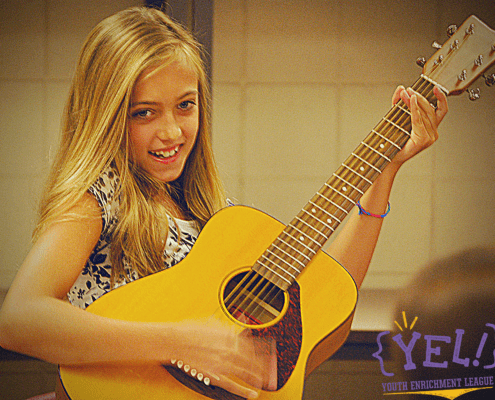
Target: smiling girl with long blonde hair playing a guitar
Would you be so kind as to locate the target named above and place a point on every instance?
(132, 185)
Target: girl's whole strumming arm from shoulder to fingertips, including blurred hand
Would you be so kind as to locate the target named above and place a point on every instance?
(37, 321)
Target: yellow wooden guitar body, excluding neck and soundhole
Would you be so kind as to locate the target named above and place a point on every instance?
(312, 326)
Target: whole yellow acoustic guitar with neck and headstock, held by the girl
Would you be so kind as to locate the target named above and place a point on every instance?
(252, 272)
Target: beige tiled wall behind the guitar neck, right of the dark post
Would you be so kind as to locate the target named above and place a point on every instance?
(298, 84)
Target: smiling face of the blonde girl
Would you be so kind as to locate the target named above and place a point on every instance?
(164, 120)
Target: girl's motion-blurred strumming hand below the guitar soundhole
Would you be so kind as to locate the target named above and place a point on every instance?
(237, 362)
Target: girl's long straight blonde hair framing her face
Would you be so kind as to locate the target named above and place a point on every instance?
(95, 136)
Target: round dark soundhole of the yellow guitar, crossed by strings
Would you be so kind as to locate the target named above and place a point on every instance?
(251, 299)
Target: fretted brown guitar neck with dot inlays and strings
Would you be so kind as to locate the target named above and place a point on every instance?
(294, 248)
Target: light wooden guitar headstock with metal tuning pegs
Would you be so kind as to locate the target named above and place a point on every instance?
(466, 55)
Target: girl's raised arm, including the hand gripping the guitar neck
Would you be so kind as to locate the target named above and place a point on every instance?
(355, 244)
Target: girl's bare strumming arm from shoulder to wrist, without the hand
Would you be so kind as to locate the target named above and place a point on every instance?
(35, 318)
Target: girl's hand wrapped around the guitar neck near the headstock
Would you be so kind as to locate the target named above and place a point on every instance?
(425, 120)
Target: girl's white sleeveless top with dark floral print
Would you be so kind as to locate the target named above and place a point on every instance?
(94, 280)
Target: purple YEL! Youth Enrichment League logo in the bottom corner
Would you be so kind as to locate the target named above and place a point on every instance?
(434, 360)
